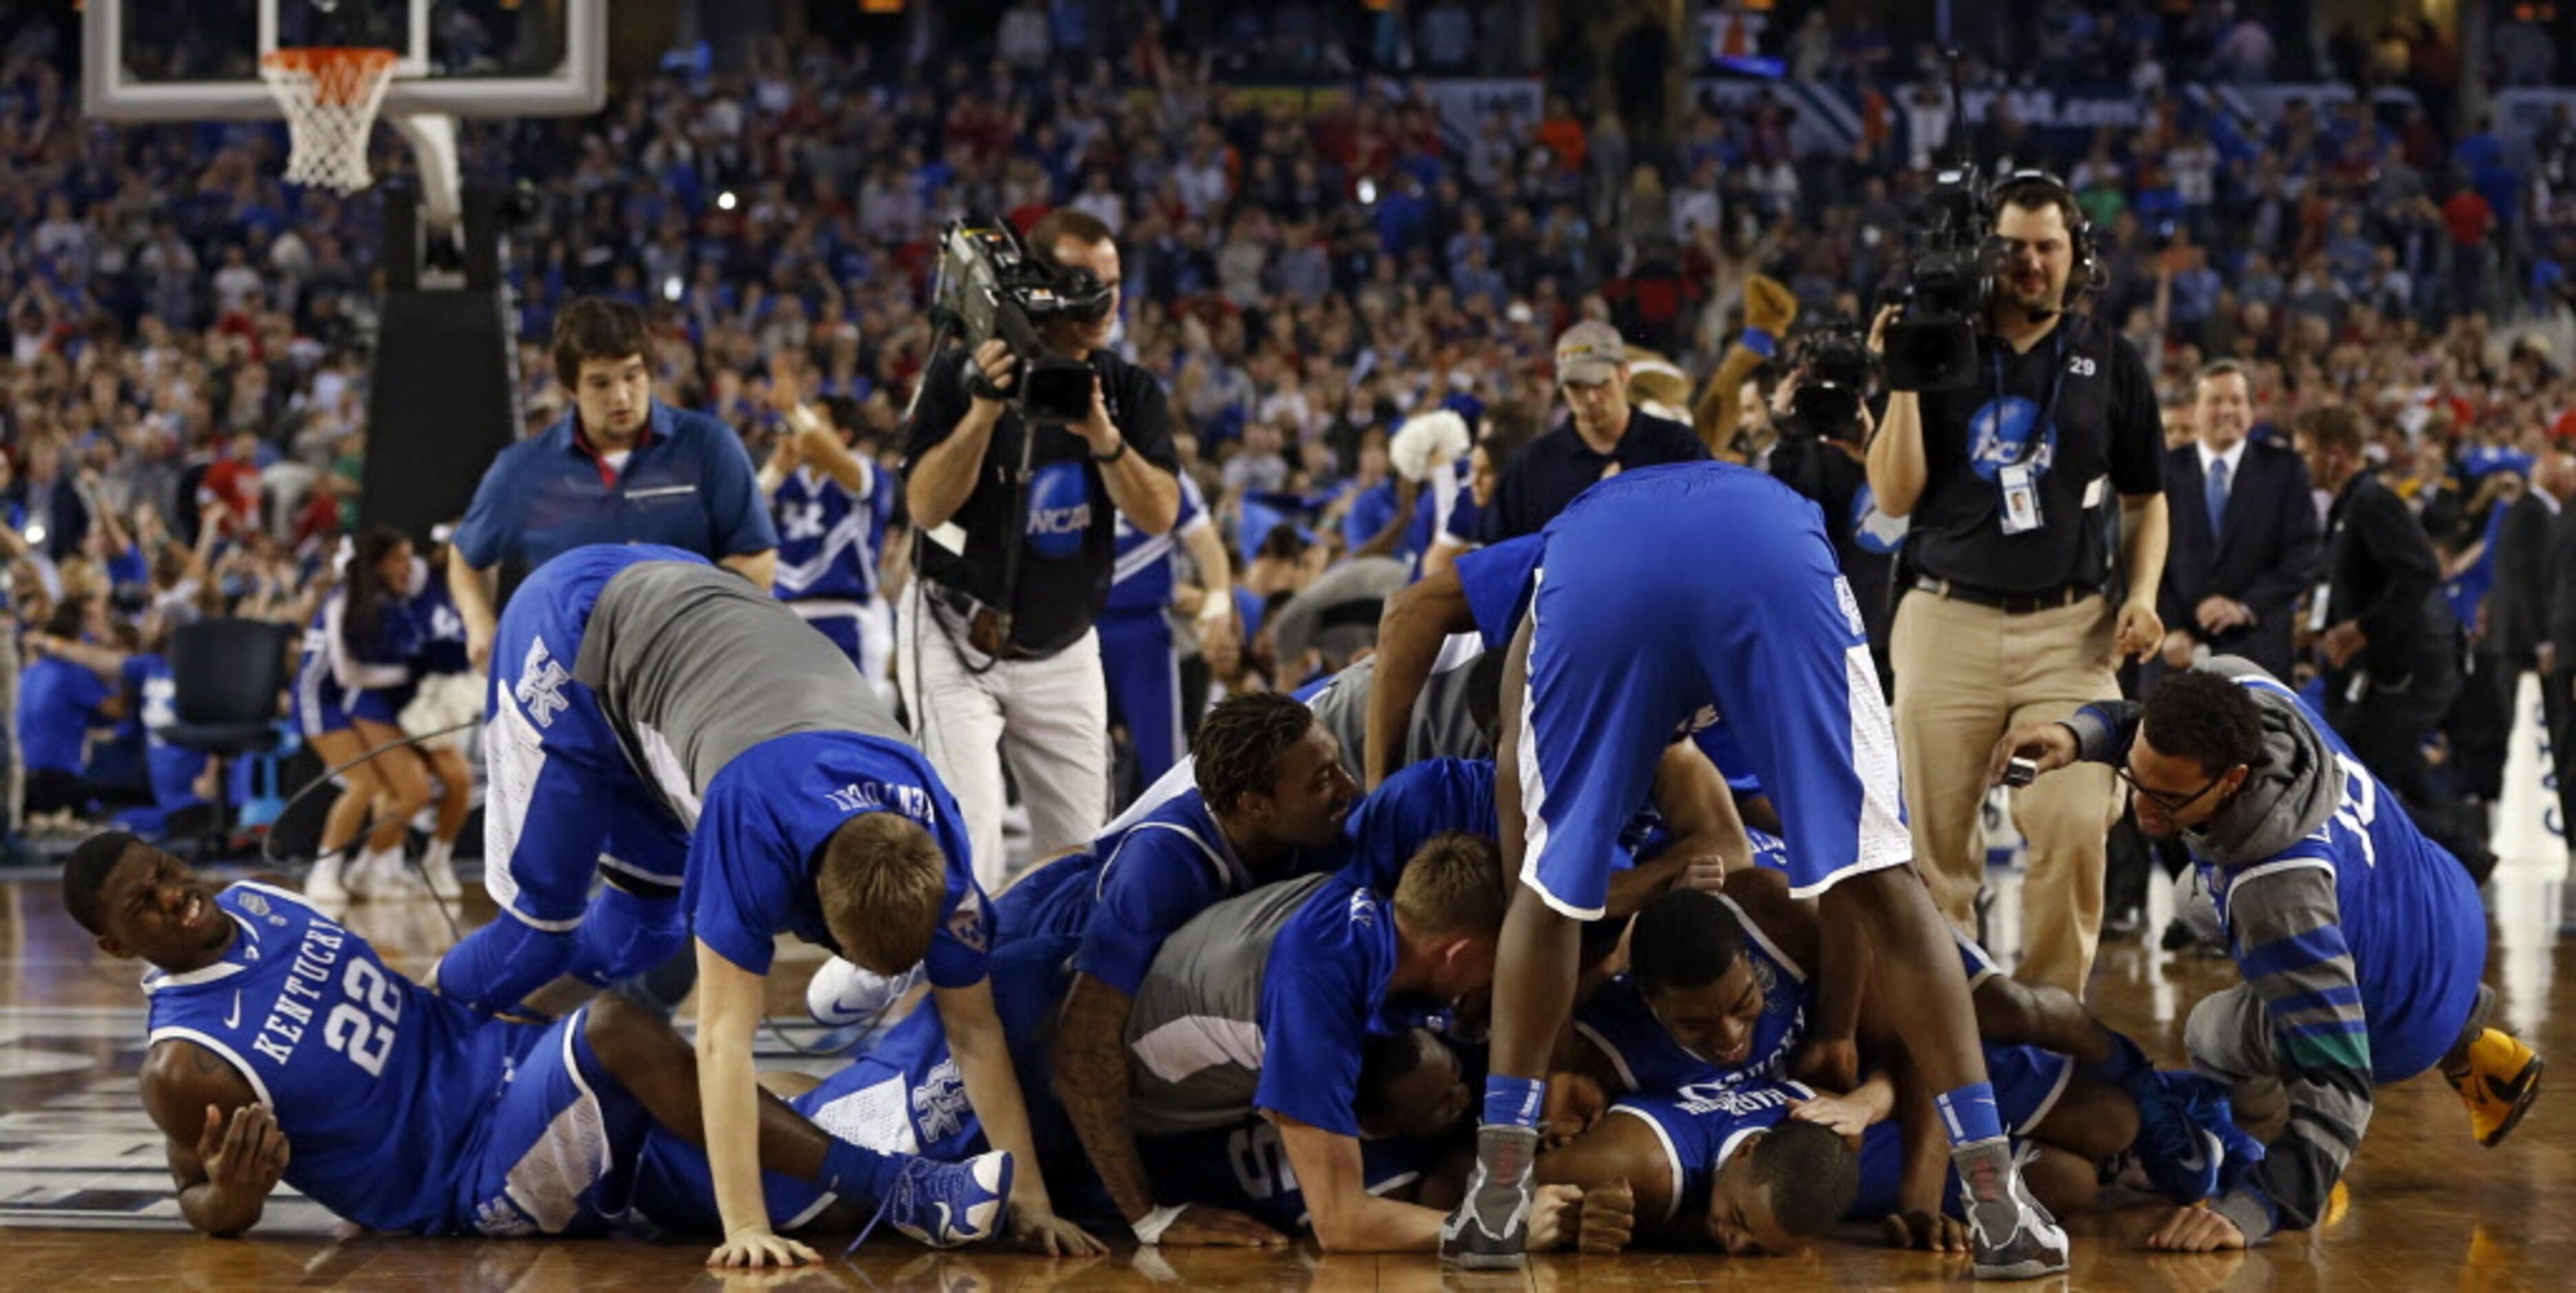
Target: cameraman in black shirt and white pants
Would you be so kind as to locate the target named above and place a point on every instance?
(1001, 650)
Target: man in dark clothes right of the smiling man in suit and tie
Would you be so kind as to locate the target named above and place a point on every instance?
(2389, 643)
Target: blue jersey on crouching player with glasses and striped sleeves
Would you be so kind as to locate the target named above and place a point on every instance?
(2407, 913)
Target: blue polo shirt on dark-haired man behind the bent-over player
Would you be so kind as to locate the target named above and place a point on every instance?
(689, 486)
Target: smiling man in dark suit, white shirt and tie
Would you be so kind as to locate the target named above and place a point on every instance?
(2245, 532)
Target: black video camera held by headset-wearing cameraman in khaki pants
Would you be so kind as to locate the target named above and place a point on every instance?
(1946, 287)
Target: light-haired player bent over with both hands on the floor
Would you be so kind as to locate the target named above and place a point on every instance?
(661, 722)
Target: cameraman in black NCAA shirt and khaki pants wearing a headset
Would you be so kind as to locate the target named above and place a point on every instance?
(2034, 563)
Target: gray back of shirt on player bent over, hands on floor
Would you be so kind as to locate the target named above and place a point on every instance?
(694, 666)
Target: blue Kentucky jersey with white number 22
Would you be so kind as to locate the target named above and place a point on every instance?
(377, 1083)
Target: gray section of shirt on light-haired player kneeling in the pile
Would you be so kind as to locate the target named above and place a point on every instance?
(1197, 1032)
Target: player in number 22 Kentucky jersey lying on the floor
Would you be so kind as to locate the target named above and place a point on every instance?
(287, 1050)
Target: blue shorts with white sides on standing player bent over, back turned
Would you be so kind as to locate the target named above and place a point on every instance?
(1766, 637)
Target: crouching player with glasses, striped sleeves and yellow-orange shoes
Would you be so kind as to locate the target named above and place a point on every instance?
(2363, 944)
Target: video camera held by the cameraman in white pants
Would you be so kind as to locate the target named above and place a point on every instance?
(990, 287)
